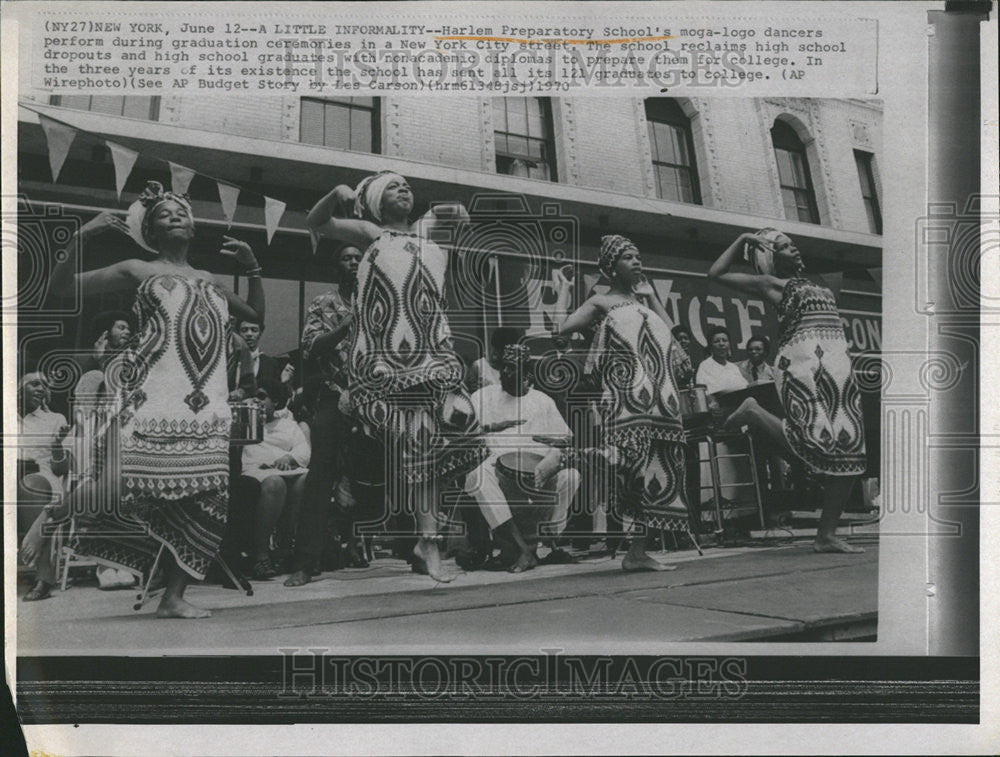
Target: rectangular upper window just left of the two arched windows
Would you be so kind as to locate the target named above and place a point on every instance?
(524, 137)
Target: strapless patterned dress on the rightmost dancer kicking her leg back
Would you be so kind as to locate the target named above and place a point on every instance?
(823, 422)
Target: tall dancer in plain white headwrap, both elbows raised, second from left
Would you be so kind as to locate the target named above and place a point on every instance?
(405, 379)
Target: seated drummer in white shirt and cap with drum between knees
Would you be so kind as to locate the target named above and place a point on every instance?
(513, 414)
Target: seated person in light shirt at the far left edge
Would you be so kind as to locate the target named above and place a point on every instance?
(42, 466)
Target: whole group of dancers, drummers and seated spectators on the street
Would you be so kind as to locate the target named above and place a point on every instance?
(204, 450)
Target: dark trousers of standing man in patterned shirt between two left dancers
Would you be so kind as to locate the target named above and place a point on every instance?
(329, 429)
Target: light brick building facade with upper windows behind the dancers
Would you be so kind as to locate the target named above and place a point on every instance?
(682, 177)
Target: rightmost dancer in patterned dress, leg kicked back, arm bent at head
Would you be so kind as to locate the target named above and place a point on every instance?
(823, 425)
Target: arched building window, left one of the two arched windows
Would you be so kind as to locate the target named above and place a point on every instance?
(673, 151)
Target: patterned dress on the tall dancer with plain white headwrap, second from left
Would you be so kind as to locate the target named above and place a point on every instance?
(406, 382)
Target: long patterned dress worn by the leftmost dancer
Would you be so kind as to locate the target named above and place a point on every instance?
(164, 457)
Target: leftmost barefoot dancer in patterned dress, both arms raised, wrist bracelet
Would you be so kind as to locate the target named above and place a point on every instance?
(165, 456)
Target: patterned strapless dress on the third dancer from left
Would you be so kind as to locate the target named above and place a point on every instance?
(640, 366)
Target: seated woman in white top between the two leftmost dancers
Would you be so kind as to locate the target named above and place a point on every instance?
(278, 466)
